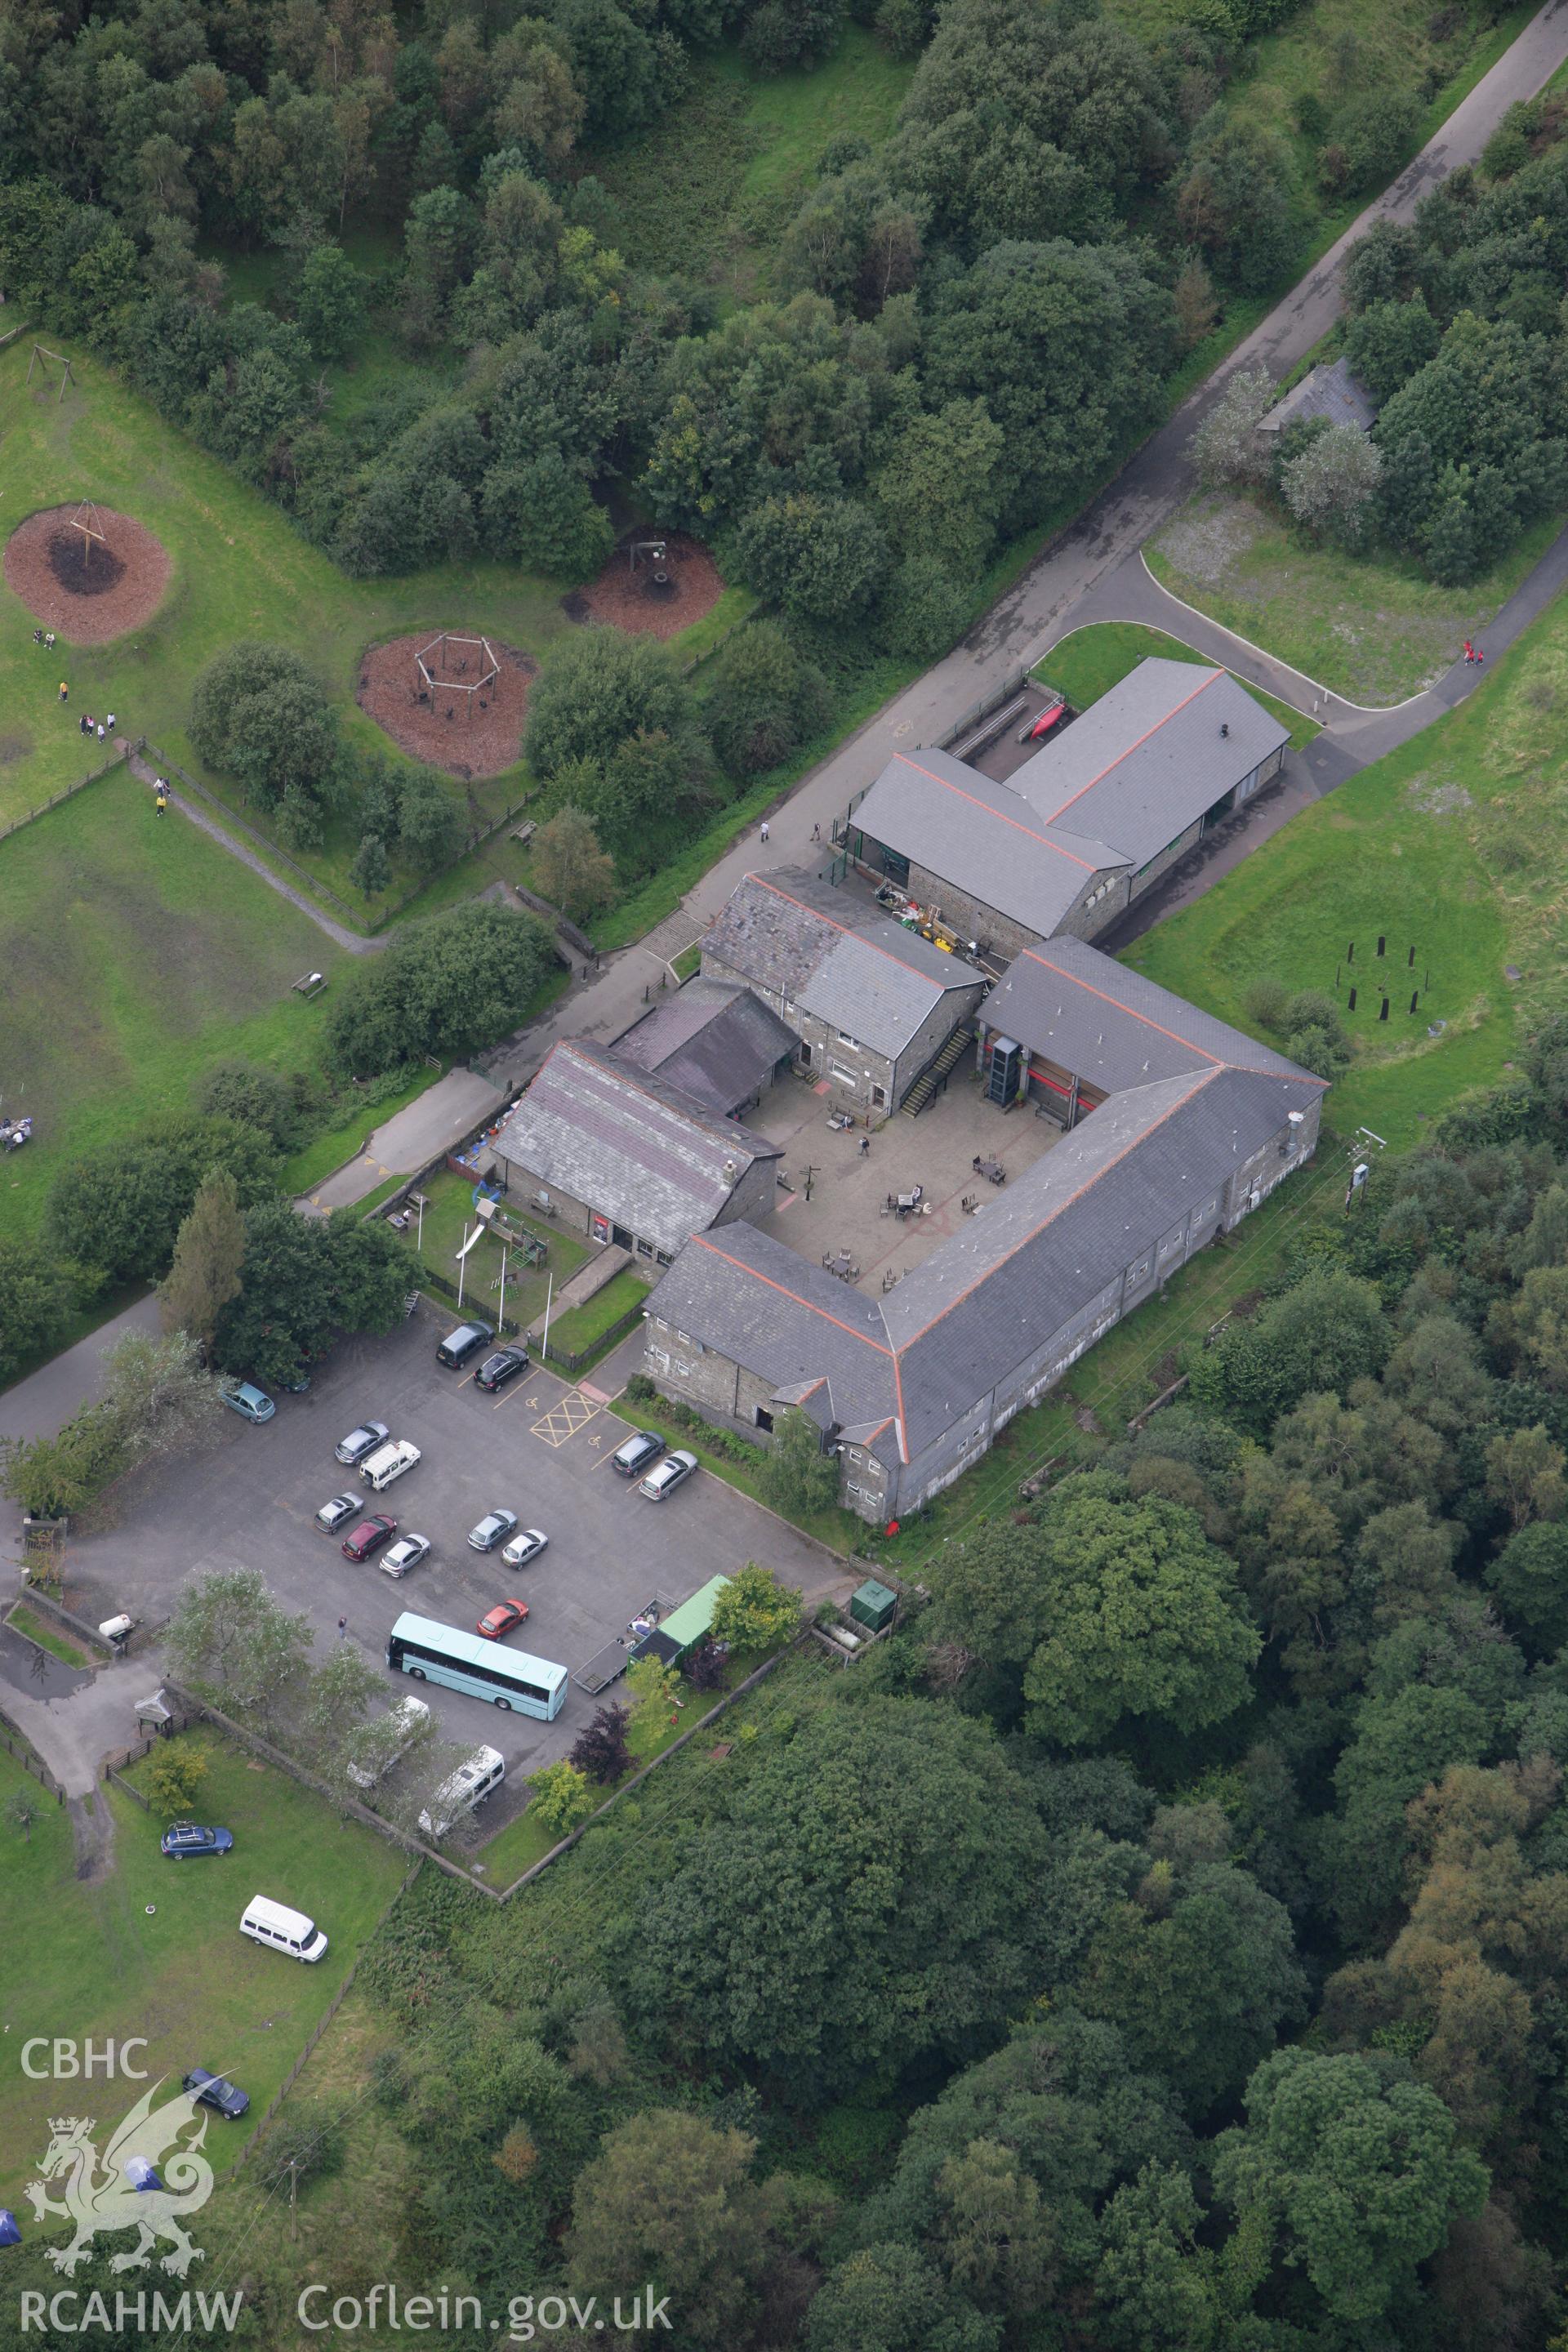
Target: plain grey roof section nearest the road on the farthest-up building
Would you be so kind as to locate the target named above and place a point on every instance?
(981, 838)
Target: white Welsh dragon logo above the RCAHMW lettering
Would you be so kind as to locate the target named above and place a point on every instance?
(107, 2198)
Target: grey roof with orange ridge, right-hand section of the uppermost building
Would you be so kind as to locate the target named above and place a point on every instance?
(1148, 759)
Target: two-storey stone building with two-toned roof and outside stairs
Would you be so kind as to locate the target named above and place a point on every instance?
(869, 1003)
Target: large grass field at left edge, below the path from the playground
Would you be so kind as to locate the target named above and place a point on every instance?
(135, 951)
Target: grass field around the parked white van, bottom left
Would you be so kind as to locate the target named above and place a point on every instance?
(185, 1977)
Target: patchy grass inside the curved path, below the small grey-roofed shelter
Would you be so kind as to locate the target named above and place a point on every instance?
(1372, 627)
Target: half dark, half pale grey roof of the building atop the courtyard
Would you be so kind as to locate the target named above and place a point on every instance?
(836, 958)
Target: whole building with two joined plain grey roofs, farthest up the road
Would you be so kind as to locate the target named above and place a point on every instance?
(1085, 827)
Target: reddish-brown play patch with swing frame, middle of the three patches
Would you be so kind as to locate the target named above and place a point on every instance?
(455, 700)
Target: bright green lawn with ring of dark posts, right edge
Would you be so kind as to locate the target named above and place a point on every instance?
(1454, 846)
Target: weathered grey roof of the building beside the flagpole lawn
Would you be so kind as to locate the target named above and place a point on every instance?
(629, 1144)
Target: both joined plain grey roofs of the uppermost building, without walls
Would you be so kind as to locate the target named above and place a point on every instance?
(1113, 791)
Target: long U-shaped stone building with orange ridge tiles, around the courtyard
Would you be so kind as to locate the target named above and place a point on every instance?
(1177, 1130)
